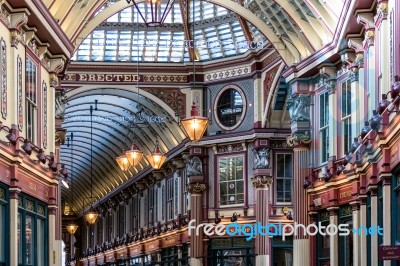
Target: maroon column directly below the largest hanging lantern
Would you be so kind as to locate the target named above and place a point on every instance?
(196, 190)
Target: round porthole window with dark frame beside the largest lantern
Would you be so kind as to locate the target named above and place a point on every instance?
(230, 108)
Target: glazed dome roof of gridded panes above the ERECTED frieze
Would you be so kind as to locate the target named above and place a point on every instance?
(124, 36)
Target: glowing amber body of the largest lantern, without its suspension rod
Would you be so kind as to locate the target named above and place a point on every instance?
(196, 125)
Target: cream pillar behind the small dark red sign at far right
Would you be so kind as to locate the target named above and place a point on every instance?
(387, 213)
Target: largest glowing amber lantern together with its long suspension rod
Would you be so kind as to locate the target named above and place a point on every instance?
(195, 126)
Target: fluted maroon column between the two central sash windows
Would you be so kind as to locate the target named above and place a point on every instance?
(262, 185)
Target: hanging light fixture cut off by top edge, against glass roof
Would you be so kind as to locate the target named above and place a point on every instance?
(157, 11)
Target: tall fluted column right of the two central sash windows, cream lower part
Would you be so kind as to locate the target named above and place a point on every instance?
(301, 243)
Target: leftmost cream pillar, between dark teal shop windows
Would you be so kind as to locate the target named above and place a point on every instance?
(14, 225)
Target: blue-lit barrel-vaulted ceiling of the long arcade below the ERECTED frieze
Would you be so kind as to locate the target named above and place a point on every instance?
(112, 131)
